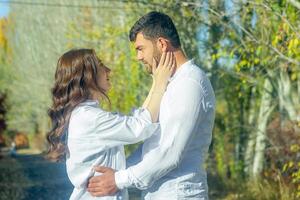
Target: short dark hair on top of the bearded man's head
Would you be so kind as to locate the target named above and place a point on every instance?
(154, 25)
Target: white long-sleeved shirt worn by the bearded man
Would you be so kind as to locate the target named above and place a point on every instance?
(170, 164)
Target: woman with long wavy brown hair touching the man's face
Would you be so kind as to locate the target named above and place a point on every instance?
(86, 135)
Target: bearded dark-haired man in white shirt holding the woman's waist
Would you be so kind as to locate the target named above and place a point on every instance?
(170, 164)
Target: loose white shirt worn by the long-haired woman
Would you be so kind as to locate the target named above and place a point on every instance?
(96, 137)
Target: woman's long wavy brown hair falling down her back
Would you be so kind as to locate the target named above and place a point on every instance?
(76, 80)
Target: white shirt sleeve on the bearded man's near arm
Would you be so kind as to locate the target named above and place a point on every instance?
(176, 132)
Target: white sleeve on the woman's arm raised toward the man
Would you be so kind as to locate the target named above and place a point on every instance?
(111, 129)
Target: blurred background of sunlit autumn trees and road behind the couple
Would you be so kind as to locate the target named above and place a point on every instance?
(249, 49)
